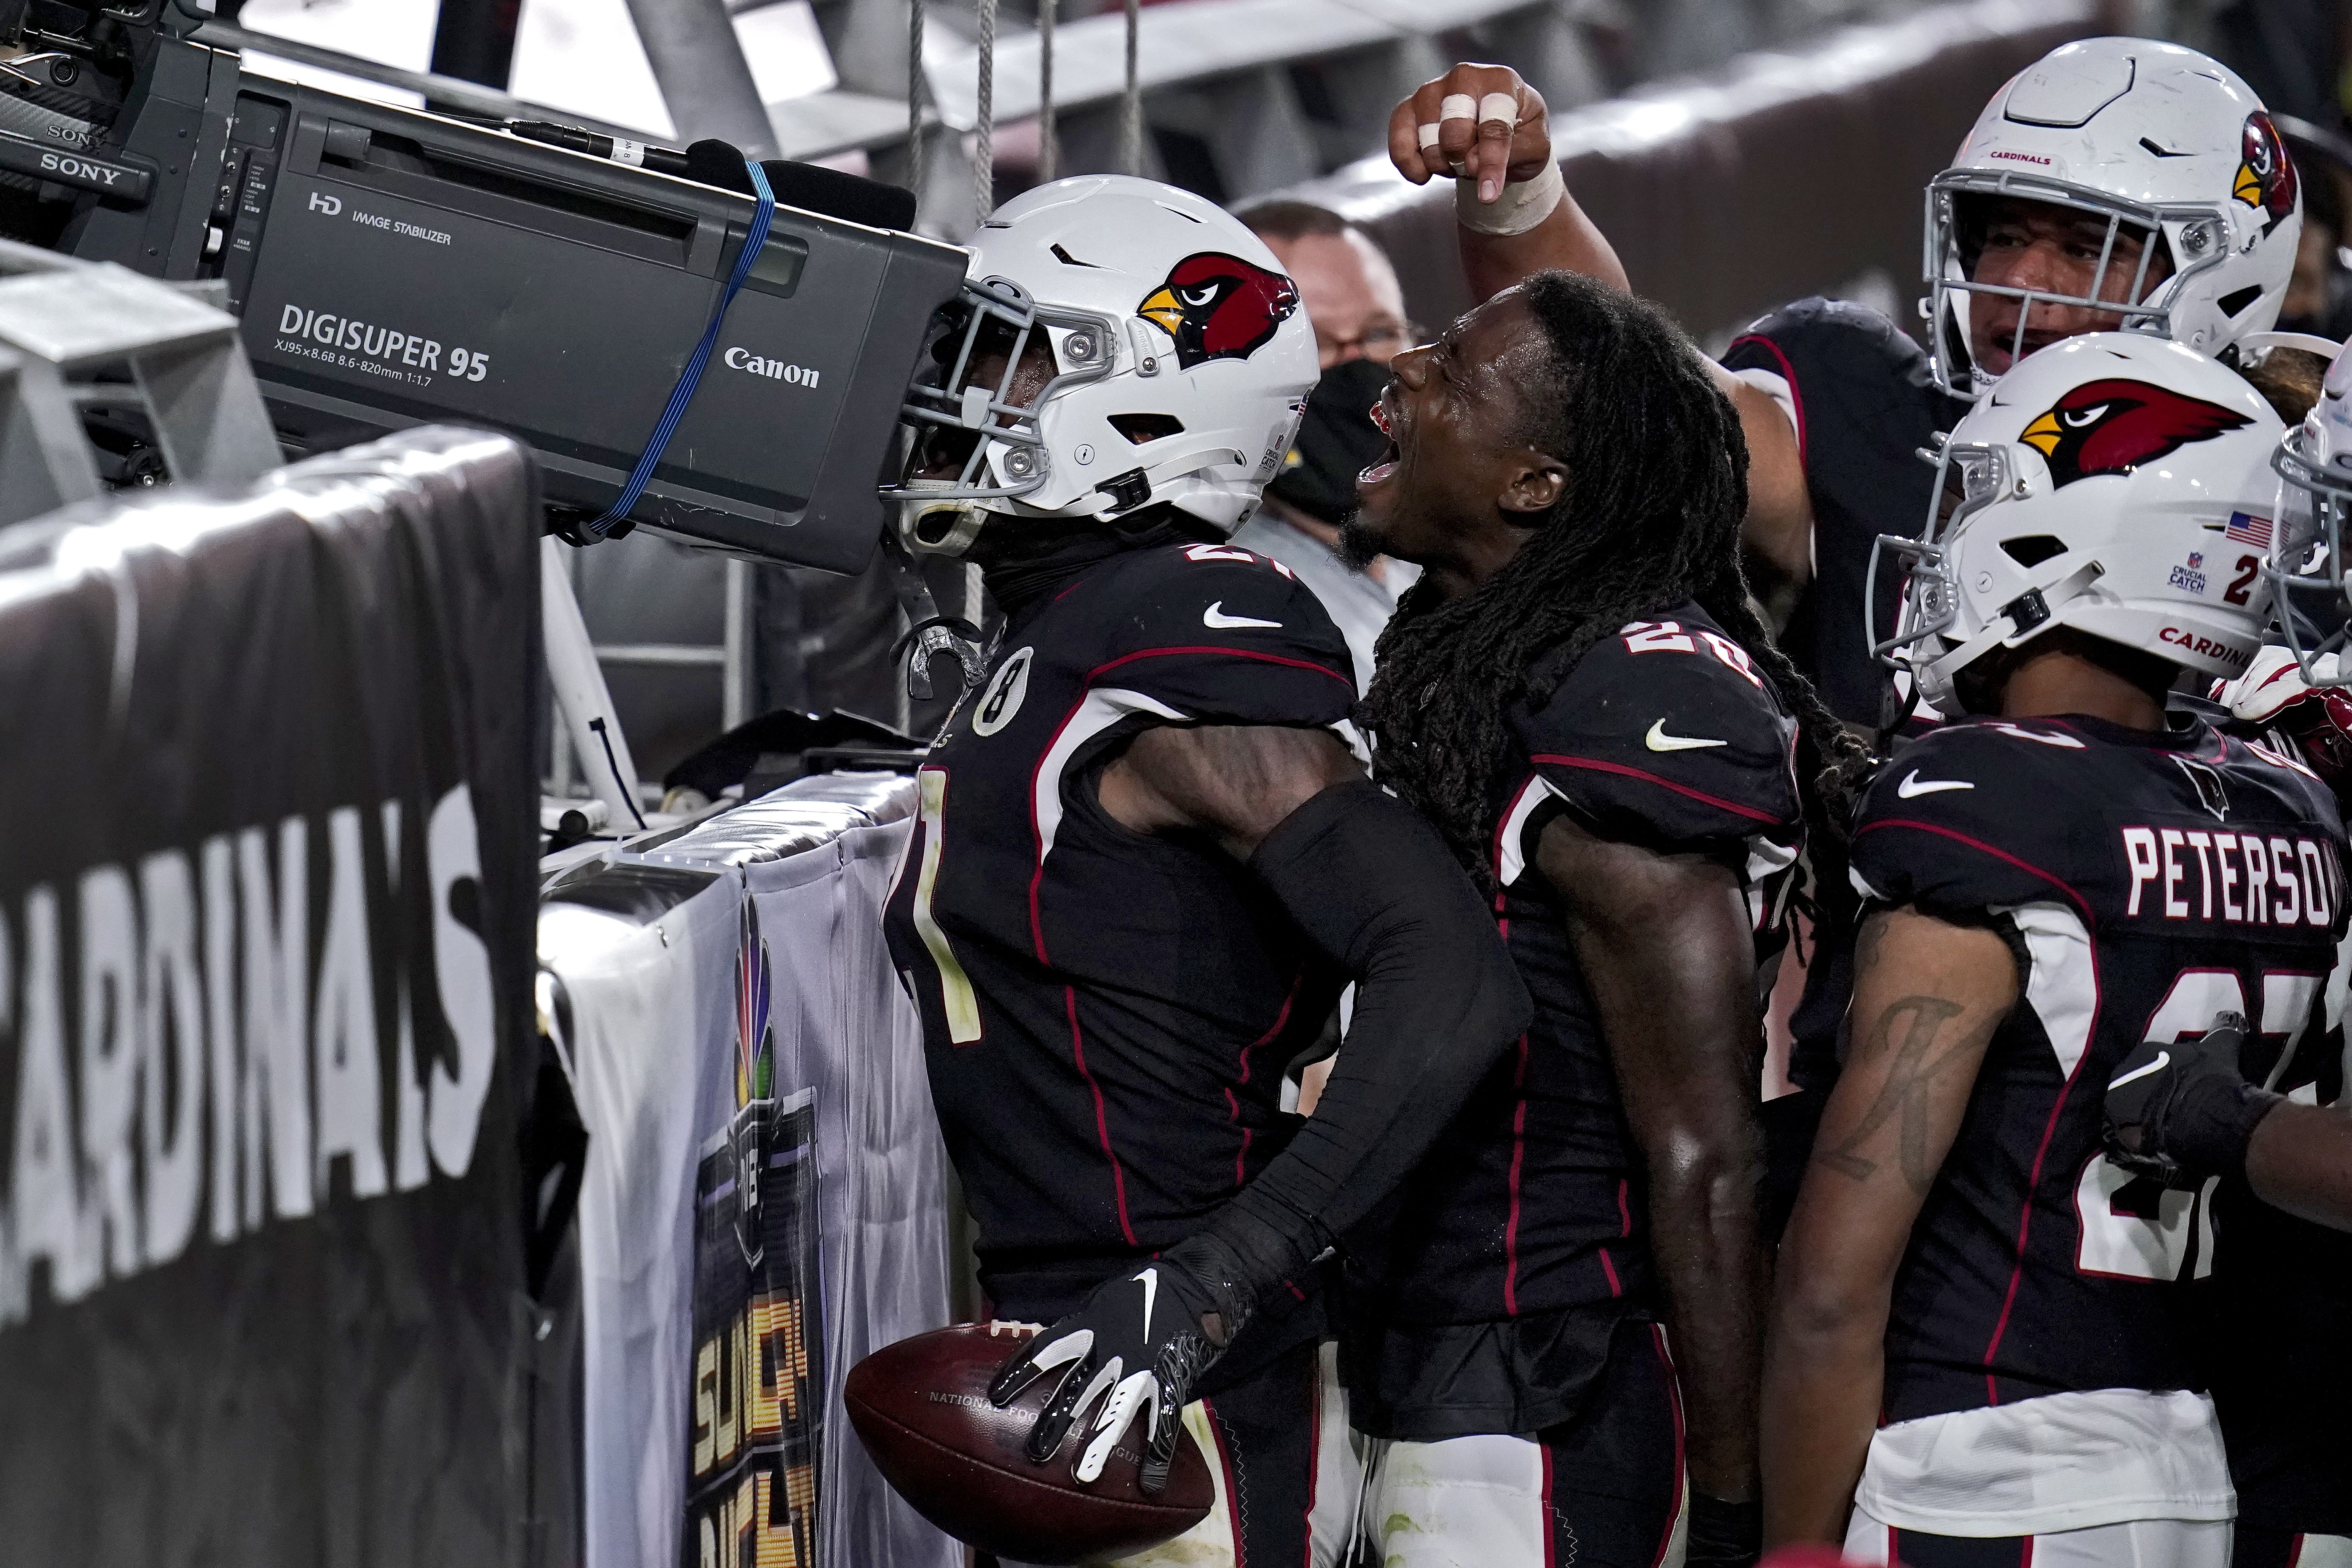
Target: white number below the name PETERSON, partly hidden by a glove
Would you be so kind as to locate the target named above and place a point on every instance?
(2132, 1228)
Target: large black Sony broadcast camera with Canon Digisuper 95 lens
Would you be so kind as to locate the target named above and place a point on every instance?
(399, 269)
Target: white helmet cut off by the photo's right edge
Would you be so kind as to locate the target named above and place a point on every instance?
(2316, 500)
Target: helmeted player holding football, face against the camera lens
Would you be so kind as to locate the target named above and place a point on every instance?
(1149, 859)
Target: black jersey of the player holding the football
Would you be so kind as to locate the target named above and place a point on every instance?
(1109, 1014)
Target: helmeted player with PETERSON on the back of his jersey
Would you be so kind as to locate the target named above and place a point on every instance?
(1979, 1348)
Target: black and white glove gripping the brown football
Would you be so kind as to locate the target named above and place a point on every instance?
(1137, 1348)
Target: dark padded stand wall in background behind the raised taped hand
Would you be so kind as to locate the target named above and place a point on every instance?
(1779, 177)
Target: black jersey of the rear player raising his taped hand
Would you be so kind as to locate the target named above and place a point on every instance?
(1866, 406)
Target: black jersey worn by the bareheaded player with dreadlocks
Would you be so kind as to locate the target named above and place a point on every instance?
(1490, 1294)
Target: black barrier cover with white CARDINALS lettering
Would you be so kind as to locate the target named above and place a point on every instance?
(265, 1014)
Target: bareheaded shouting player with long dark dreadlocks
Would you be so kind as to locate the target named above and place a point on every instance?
(1579, 695)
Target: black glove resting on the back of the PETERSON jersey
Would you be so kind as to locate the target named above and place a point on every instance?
(2181, 1113)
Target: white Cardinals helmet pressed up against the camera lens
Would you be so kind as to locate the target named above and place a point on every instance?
(1180, 368)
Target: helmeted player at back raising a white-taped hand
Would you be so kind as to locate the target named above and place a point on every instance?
(2113, 185)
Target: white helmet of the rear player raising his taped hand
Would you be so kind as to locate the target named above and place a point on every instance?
(2144, 135)
